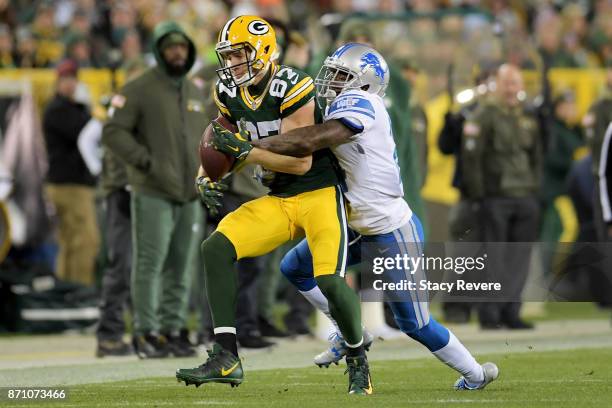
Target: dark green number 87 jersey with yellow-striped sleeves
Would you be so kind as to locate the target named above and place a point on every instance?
(287, 90)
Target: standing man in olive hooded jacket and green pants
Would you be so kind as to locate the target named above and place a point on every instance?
(155, 128)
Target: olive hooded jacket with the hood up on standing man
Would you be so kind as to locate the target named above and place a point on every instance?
(155, 127)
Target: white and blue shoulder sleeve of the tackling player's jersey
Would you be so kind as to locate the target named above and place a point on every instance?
(354, 111)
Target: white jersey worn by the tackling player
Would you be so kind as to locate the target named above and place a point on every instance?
(375, 191)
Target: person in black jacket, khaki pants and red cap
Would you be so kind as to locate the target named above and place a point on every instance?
(70, 185)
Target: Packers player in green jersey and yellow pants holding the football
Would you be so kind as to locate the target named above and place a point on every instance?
(305, 199)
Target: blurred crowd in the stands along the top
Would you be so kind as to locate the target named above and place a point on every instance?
(107, 33)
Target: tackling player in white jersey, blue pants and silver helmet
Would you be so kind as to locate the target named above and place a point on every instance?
(357, 128)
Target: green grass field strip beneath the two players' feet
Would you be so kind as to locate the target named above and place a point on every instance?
(573, 378)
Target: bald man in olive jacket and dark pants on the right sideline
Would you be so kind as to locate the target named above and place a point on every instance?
(501, 171)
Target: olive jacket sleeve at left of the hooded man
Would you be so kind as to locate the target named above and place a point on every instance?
(118, 133)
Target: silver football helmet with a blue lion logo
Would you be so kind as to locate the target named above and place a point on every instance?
(352, 66)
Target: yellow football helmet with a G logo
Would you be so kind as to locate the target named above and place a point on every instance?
(246, 47)
